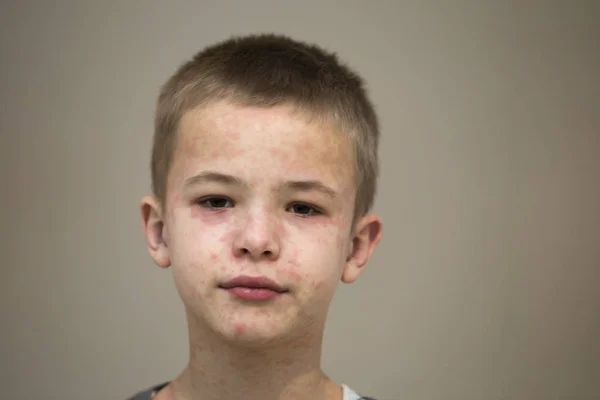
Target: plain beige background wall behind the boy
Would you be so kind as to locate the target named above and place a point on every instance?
(486, 283)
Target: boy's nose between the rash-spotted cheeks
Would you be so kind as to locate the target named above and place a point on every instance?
(257, 237)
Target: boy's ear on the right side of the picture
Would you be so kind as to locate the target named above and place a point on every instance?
(365, 238)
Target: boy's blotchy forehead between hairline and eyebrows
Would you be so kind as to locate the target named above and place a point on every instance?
(262, 143)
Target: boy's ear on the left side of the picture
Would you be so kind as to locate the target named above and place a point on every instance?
(155, 231)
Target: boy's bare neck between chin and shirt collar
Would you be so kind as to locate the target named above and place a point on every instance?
(219, 369)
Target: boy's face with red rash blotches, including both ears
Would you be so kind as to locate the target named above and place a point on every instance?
(259, 192)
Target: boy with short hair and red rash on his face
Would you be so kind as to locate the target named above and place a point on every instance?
(264, 168)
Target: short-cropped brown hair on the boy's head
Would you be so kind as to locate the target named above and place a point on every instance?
(267, 70)
